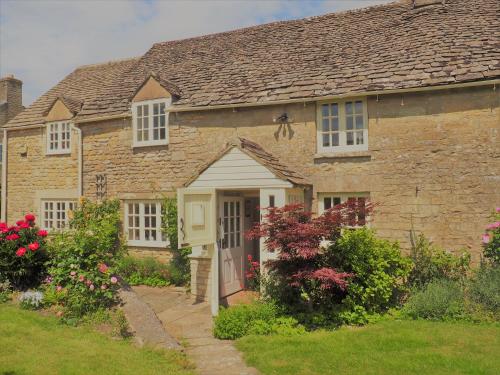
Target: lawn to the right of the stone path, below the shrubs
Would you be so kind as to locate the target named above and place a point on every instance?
(388, 347)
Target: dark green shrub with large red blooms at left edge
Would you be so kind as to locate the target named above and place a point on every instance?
(22, 253)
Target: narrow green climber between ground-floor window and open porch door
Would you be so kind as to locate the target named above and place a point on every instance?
(180, 273)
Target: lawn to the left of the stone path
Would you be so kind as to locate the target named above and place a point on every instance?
(34, 344)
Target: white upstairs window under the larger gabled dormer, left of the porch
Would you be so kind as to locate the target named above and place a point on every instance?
(150, 122)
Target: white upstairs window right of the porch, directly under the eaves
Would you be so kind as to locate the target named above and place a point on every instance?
(342, 126)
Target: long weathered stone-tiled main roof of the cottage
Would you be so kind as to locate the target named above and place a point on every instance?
(383, 47)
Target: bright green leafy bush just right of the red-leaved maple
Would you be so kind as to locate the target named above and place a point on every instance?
(378, 270)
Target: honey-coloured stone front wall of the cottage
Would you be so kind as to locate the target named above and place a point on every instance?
(433, 162)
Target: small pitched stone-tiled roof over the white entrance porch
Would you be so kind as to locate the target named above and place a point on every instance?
(262, 157)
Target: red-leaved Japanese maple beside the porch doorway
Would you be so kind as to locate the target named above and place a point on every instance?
(301, 275)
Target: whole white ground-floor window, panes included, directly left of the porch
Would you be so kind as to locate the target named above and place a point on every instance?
(143, 224)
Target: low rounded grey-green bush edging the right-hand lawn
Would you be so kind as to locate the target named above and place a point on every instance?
(441, 299)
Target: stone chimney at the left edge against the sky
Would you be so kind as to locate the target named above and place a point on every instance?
(11, 98)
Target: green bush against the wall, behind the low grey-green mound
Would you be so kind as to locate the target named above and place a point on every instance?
(431, 263)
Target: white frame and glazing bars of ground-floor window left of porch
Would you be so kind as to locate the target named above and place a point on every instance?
(161, 240)
